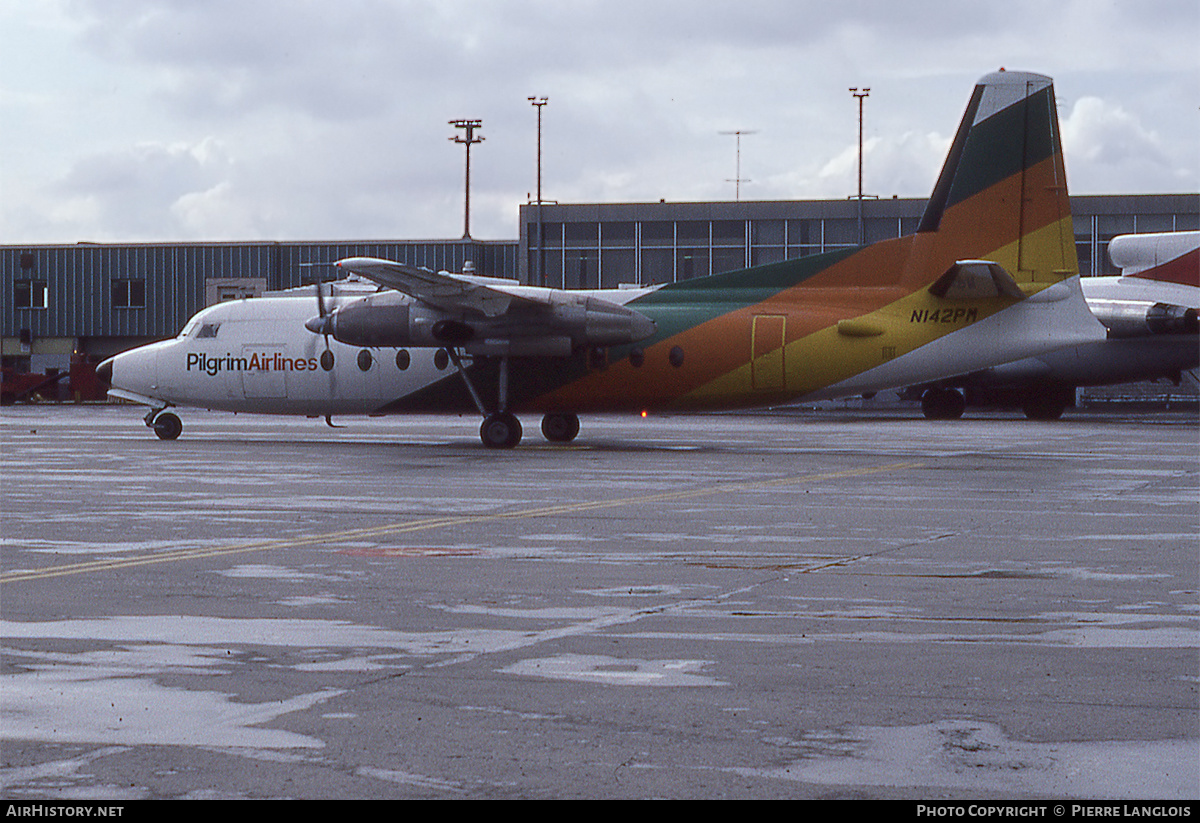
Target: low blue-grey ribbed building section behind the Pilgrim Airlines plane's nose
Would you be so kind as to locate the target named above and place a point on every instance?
(98, 299)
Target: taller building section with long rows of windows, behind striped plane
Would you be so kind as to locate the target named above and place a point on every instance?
(608, 245)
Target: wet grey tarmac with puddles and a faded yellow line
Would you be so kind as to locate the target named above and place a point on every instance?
(808, 605)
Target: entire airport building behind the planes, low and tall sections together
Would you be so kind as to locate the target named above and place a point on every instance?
(86, 302)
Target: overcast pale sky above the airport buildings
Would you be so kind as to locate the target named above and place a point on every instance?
(160, 121)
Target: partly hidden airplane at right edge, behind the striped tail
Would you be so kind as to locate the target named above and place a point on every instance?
(1151, 333)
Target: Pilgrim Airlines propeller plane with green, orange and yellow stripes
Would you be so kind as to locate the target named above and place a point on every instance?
(991, 277)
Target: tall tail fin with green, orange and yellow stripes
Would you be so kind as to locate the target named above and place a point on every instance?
(1003, 194)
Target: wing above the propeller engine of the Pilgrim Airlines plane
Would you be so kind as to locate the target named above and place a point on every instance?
(490, 297)
